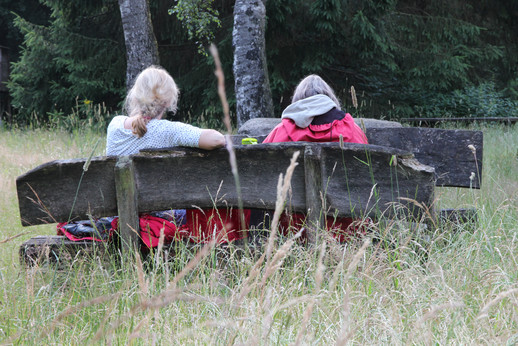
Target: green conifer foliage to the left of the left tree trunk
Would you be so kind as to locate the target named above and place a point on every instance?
(76, 56)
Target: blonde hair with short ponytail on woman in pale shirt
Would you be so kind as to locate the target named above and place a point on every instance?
(153, 93)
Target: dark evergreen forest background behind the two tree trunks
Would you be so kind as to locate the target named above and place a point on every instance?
(404, 58)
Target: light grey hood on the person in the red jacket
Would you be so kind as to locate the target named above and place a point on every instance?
(303, 111)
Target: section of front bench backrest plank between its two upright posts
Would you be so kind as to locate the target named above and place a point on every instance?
(210, 180)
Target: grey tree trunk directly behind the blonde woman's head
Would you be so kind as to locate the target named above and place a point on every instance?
(141, 45)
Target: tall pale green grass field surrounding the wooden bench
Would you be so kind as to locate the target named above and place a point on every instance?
(459, 286)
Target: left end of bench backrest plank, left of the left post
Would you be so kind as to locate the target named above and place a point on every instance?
(46, 193)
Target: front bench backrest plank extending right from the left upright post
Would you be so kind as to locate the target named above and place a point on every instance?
(162, 186)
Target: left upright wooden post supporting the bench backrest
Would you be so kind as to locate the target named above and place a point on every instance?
(127, 203)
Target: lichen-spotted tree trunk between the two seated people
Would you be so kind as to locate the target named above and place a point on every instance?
(252, 87)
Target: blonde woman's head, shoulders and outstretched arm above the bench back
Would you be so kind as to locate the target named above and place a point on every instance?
(153, 93)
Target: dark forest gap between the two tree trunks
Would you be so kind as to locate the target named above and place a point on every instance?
(194, 73)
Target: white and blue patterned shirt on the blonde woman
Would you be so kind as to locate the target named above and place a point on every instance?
(160, 134)
